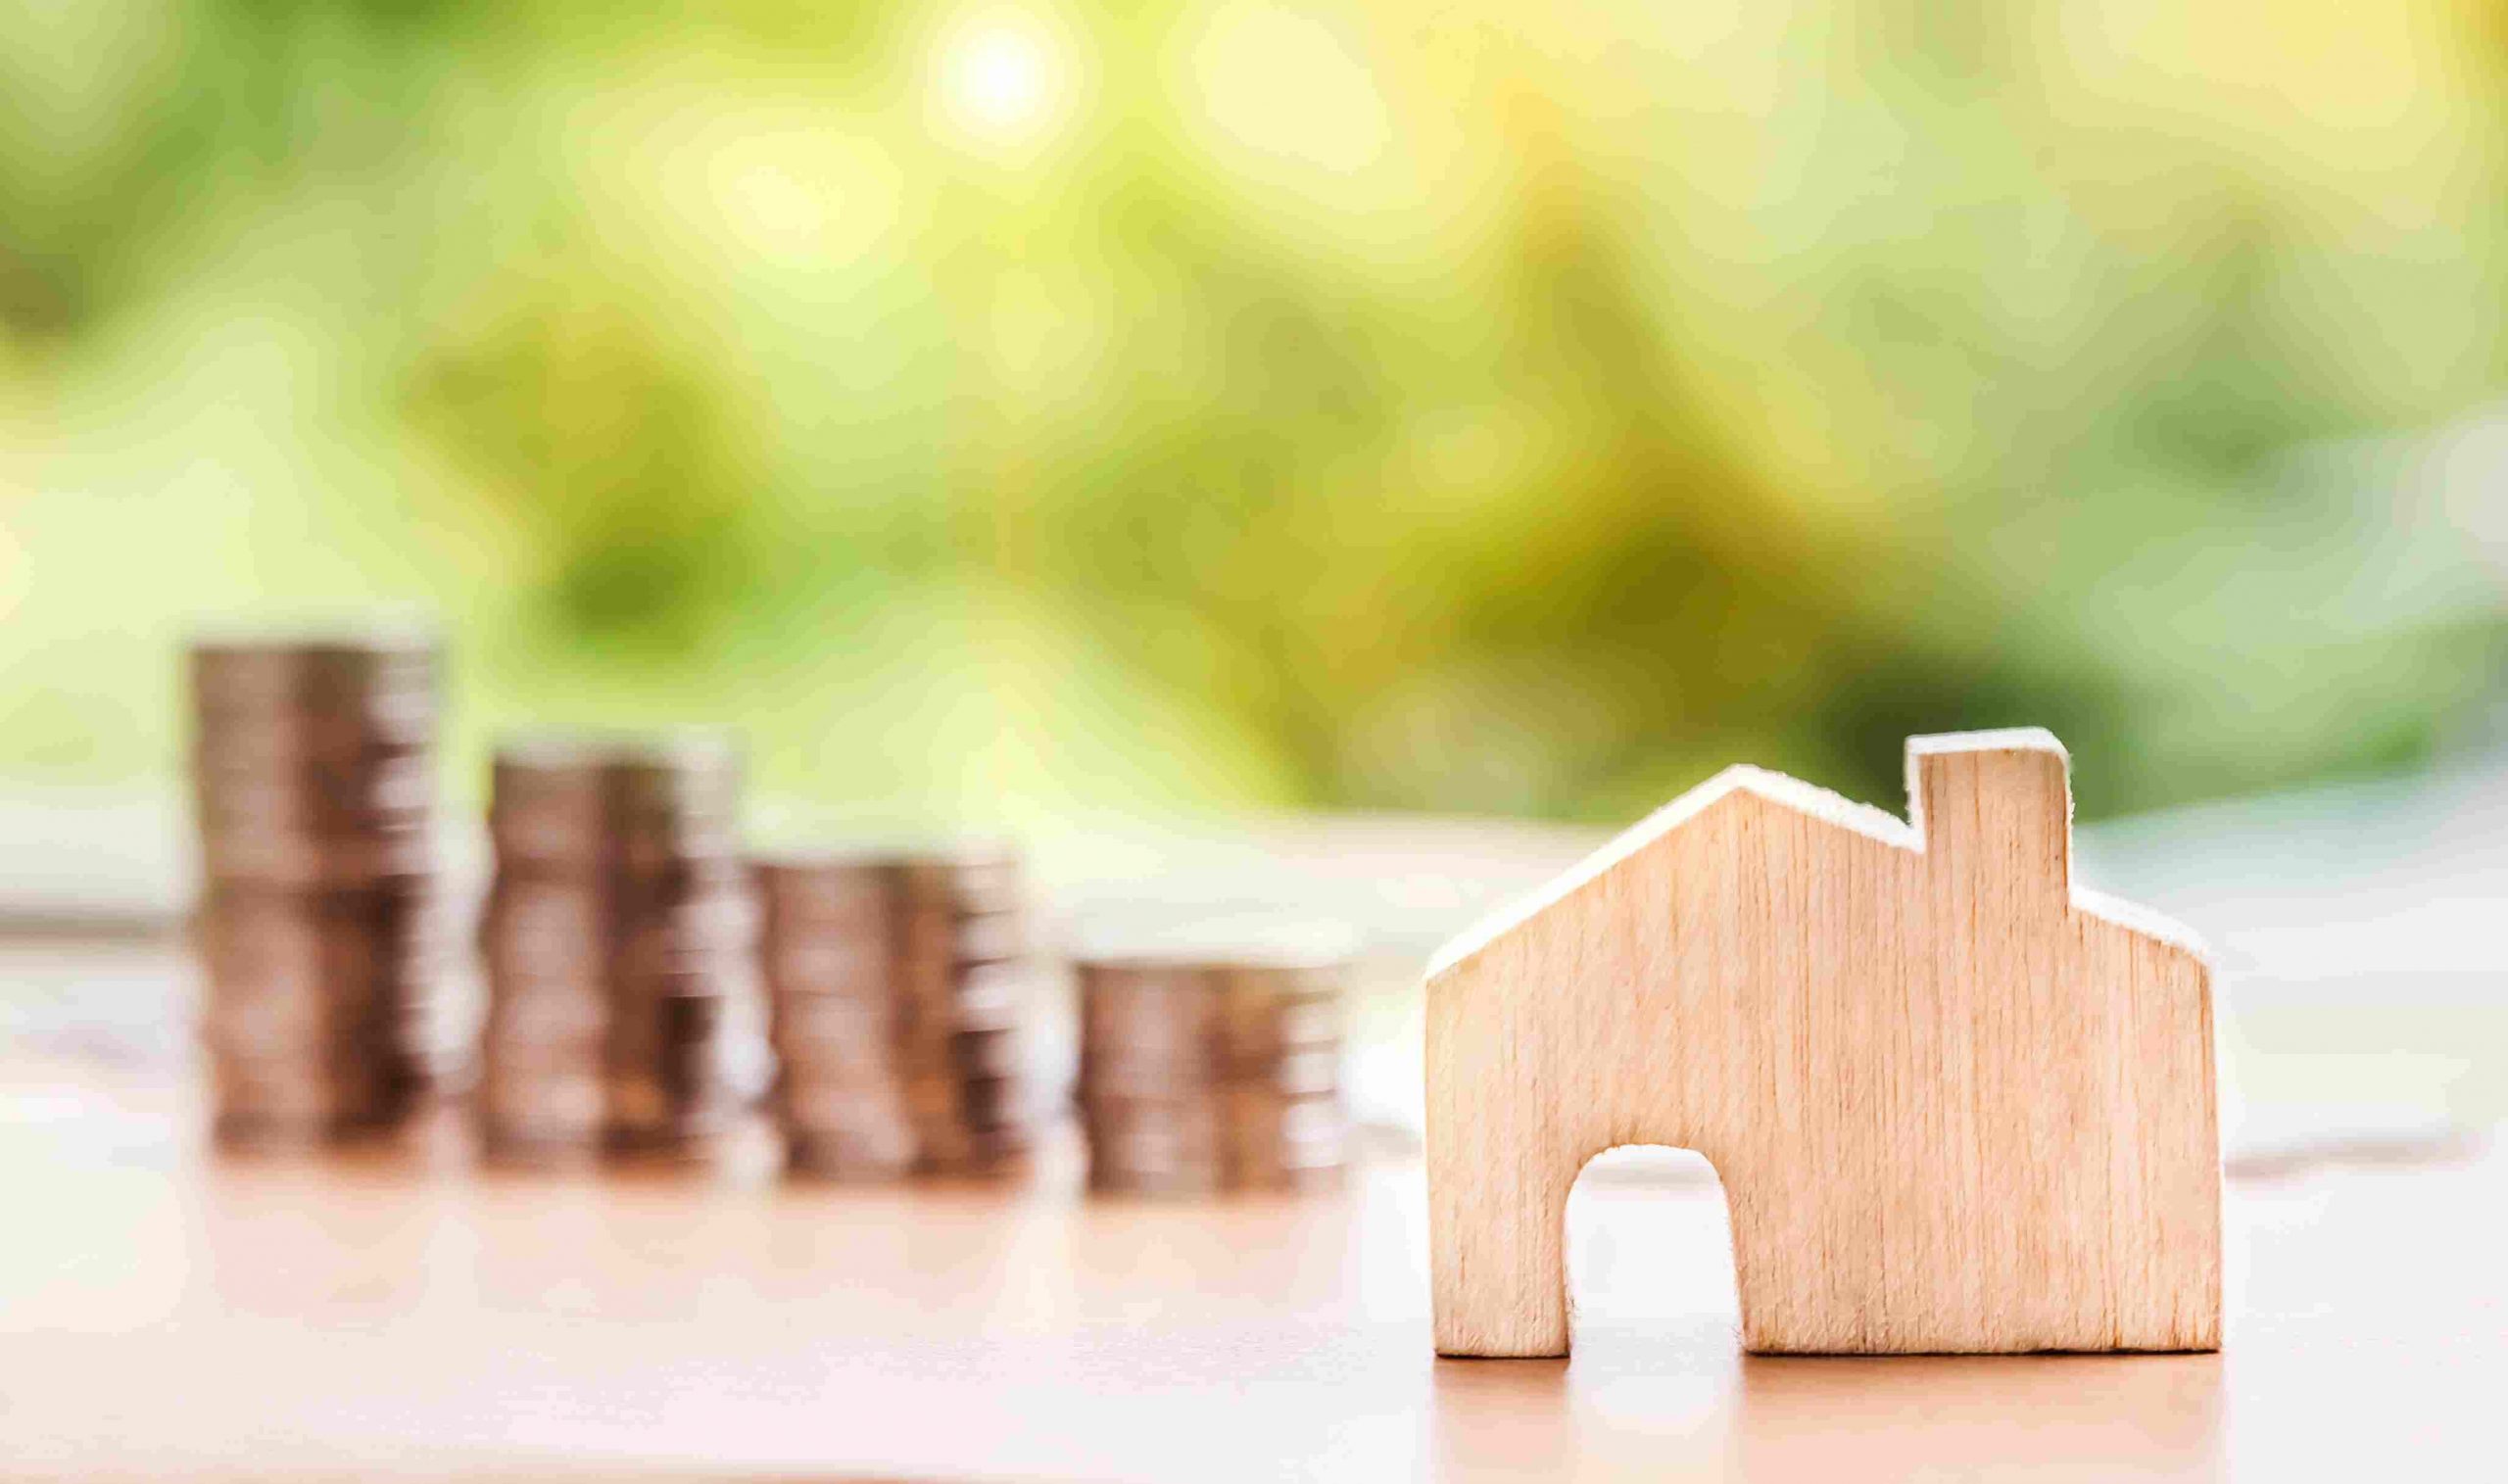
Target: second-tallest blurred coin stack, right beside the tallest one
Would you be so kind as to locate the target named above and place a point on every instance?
(623, 996)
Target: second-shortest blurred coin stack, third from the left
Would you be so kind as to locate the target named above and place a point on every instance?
(897, 986)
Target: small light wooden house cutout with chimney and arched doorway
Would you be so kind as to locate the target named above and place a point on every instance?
(1957, 1107)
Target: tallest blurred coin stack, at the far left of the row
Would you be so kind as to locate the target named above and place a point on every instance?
(327, 1006)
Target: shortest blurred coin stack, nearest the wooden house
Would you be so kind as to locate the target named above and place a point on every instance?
(1213, 1074)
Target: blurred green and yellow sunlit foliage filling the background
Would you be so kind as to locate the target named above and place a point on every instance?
(1020, 412)
